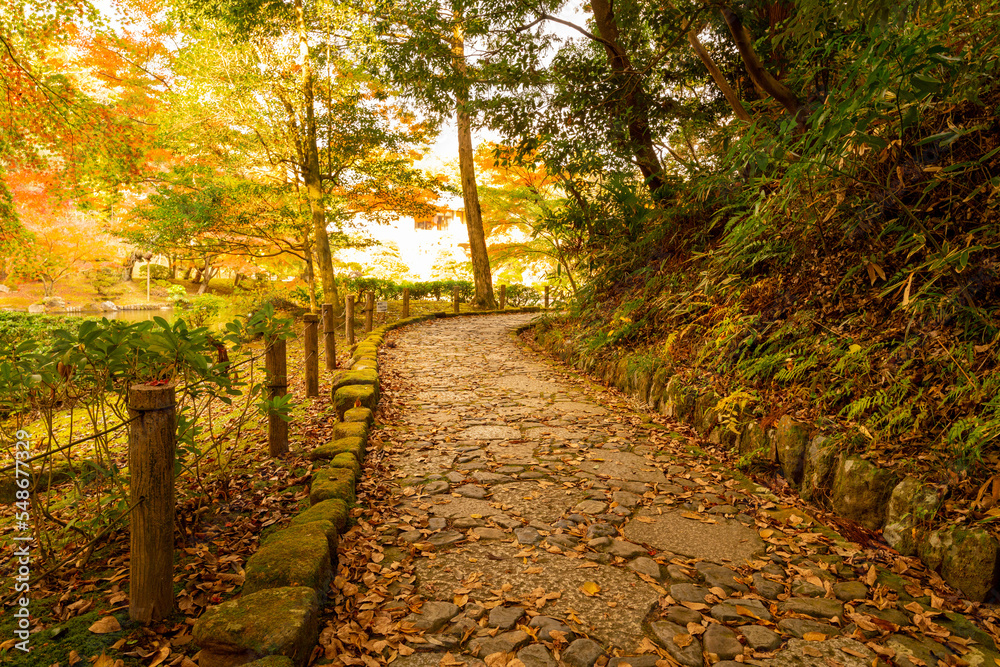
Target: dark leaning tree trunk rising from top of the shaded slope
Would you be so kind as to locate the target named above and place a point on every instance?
(634, 103)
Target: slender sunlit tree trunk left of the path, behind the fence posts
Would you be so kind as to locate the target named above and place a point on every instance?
(310, 169)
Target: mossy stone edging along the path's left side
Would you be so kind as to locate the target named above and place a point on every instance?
(275, 622)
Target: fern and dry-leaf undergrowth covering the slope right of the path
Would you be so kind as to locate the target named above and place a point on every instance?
(846, 269)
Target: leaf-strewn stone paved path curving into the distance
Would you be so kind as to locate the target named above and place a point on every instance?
(549, 522)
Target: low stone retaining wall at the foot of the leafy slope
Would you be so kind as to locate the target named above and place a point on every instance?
(813, 458)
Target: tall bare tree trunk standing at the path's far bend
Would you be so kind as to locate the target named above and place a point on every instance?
(473, 214)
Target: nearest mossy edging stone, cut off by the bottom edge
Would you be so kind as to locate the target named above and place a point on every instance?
(275, 621)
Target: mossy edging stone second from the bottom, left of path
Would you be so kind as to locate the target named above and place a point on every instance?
(298, 556)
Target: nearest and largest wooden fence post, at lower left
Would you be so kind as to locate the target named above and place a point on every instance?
(151, 442)
